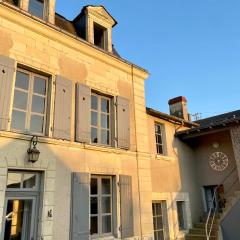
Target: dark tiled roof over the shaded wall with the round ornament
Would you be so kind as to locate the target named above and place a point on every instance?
(215, 122)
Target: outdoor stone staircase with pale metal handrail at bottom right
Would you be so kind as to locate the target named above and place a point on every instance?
(198, 231)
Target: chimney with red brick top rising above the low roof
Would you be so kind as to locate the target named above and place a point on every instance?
(178, 107)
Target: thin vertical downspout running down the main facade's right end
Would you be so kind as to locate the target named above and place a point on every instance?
(138, 179)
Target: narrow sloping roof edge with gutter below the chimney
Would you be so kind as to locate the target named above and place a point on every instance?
(170, 118)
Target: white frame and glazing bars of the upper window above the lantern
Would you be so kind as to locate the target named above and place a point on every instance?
(28, 111)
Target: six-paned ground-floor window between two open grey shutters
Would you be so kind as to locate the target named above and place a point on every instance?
(101, 206)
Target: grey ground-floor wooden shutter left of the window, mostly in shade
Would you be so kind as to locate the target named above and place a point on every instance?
(80, 209)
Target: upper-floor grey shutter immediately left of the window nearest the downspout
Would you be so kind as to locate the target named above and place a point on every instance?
(83, 113)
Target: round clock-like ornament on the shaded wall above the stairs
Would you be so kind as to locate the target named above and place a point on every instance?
(218, 161)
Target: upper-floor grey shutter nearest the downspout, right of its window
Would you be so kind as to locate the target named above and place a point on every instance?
(123, 123)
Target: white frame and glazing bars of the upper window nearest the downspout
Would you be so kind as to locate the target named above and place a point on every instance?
(99, 113)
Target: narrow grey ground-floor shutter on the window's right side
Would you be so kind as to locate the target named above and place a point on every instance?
(126, 203)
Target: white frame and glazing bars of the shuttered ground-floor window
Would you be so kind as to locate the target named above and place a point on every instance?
(99, 196)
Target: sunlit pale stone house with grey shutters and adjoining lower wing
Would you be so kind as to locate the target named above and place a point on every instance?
(80, 155)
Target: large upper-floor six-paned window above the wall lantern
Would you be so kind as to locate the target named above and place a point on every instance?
(30, 101)
